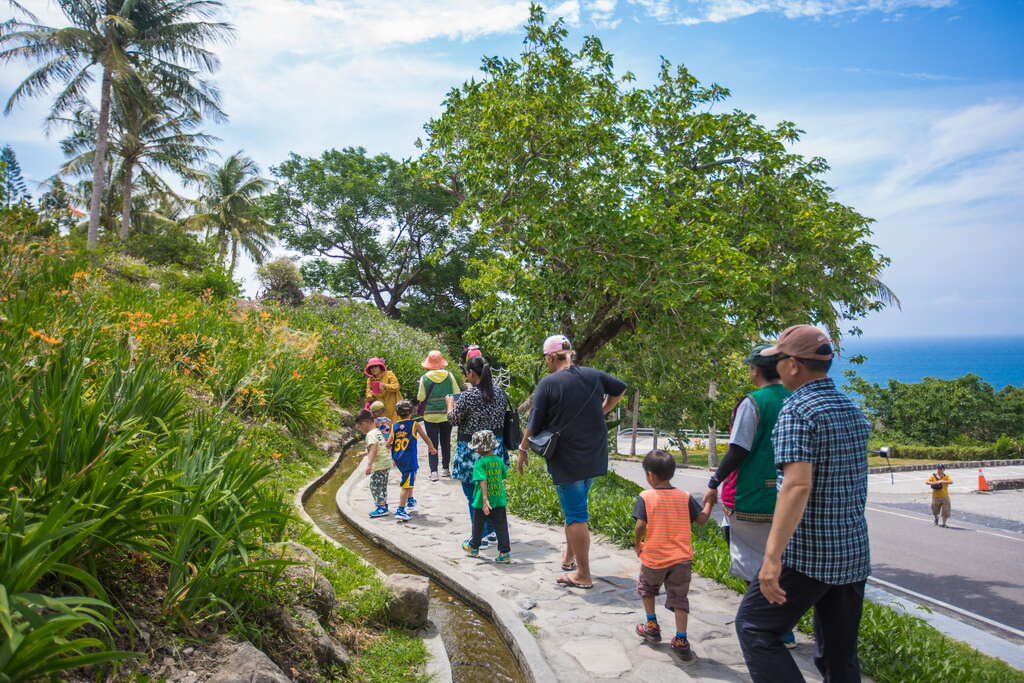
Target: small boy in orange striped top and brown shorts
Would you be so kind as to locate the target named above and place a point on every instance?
(664, 515)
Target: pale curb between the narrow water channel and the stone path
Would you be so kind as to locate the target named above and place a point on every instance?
(525, 648)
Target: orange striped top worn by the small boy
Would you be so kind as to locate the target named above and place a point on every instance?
(668, 513)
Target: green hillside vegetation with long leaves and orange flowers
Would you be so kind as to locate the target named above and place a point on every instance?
(152, 440)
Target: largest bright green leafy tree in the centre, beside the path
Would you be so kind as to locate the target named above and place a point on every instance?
(633, 220)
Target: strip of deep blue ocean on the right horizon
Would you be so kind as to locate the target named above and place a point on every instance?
(999, 361)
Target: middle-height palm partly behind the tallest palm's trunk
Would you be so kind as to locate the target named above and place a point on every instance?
(148, 135)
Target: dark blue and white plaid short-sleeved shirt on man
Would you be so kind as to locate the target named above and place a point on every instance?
(820, 425)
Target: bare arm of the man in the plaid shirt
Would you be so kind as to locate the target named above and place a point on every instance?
(797, 481)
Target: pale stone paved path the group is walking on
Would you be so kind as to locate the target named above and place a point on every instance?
(583, 634)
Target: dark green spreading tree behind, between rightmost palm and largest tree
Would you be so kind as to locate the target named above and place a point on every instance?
(379, 232)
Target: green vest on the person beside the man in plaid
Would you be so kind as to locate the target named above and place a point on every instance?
(756, 478)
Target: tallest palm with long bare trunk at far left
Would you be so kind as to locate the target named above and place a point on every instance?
(117, 36)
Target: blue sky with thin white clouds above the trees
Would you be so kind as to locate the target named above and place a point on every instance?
(919, 106)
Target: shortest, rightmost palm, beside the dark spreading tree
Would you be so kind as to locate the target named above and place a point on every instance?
(229, 209)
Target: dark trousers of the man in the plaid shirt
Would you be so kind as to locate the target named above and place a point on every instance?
(761, 625)
